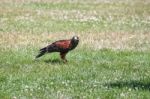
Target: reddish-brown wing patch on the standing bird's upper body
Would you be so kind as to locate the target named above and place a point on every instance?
(63, 43)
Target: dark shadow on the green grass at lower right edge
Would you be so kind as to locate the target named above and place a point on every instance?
(133, 84)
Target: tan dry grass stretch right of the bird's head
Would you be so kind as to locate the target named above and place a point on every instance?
(130, 41)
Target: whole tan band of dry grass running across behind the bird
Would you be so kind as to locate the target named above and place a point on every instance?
(130, 41)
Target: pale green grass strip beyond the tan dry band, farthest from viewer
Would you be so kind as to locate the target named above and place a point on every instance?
(75, 17)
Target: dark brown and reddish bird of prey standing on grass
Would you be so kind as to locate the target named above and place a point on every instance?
(61, 46)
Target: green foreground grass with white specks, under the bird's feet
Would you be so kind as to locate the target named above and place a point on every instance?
(104, 73)
